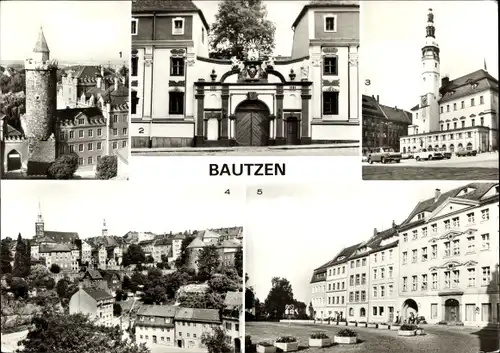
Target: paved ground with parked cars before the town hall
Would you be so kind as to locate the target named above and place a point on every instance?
(481, 167)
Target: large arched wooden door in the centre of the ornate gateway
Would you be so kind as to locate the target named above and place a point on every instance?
(252, 123)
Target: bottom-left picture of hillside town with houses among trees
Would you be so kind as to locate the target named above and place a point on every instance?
(85, 269)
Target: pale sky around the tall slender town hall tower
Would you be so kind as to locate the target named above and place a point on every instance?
(393, 32)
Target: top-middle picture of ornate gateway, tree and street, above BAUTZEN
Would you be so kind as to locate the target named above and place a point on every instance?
(245, 78)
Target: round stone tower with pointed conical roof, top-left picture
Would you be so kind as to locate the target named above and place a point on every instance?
(38, 122)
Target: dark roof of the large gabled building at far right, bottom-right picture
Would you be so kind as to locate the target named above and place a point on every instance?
(431, 204)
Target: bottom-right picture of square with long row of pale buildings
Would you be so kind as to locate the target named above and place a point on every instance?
(350, 267)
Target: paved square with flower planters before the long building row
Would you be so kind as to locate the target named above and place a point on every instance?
(438, 339)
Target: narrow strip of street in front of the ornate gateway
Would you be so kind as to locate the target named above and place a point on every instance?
(339, 150)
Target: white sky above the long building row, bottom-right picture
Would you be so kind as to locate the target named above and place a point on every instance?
(291, 229)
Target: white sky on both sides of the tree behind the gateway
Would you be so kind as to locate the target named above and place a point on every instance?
(282, 17)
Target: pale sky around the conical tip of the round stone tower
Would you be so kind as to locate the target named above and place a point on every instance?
(74, 30)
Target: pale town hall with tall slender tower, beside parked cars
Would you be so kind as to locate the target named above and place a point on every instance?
(452, 114)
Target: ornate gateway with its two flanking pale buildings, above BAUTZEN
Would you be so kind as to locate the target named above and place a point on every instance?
(183, 98)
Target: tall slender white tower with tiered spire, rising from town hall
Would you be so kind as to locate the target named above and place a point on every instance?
(429, 108)
